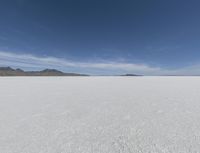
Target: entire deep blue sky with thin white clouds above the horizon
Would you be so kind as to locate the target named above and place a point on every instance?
(150, 37)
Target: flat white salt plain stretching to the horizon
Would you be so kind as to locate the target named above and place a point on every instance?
(99, 114)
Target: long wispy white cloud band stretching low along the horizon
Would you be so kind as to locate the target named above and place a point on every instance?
(29, 61)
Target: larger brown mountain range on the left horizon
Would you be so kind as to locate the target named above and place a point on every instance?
(8, 71)
